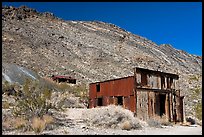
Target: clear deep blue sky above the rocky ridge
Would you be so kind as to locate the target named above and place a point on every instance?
(175, 23)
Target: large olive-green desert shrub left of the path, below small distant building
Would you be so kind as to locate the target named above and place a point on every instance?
(33, 102)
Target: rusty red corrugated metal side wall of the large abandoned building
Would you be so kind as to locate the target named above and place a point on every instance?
(111, 90)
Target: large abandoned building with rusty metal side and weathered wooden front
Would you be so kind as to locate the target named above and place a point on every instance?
(147, 93)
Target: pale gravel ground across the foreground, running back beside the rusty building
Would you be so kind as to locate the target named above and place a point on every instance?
(75, 125)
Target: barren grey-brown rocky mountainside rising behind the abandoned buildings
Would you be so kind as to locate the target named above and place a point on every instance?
(89, 50)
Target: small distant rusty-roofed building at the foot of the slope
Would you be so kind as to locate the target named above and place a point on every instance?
(59, 78)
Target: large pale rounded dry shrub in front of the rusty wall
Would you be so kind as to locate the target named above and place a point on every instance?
(112, 117)
